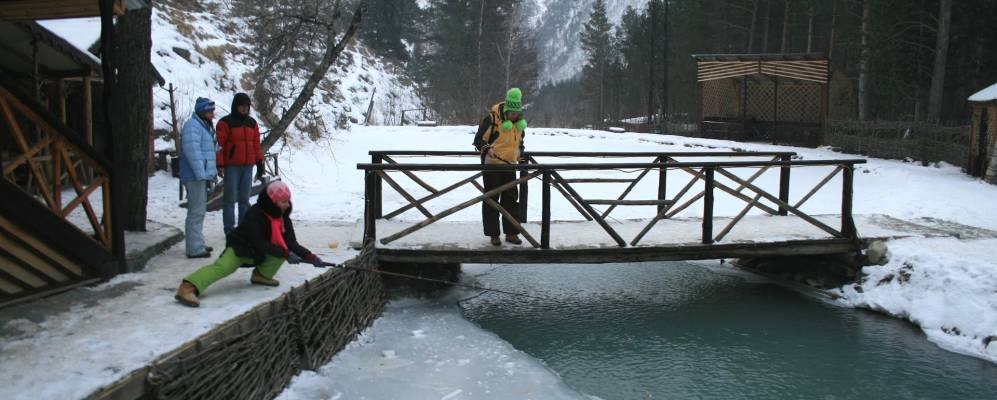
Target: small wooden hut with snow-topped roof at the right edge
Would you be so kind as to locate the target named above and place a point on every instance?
(983, 134)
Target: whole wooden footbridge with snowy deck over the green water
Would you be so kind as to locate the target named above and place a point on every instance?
(779, 226)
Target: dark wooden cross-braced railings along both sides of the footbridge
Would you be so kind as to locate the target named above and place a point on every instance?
(700, 170)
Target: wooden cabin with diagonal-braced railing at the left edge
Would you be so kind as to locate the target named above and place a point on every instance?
(56, 225)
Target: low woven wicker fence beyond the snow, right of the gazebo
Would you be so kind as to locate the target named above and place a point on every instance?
(920, 141)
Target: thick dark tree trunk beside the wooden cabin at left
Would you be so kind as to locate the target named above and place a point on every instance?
(131, 111)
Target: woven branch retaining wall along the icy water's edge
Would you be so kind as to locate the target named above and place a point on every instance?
(255, 357)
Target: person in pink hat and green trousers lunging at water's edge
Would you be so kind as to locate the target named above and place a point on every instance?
(264, 239)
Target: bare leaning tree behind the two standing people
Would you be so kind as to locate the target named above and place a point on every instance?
(288, 34)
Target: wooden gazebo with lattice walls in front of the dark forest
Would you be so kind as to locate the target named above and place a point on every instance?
(778, 98)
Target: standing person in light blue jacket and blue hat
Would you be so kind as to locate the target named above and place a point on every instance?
(197, 168)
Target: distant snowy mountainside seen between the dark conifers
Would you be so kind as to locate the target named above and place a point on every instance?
(558, 33)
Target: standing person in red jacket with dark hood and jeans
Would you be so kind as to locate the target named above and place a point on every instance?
(239, 138)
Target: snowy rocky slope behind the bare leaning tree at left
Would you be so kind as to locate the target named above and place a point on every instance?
(204, 53)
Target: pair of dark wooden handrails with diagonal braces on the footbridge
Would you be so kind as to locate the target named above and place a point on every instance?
(702, 171)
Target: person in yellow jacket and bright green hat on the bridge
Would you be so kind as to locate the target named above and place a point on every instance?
(500, 141)
